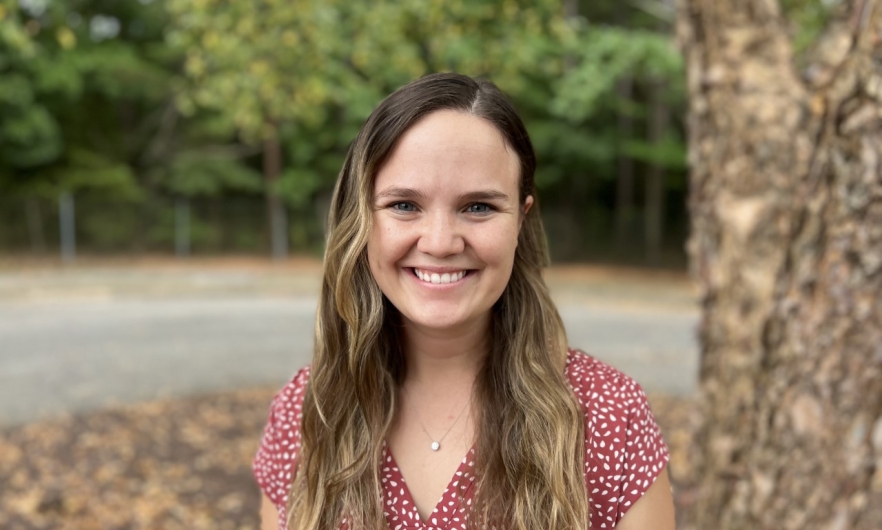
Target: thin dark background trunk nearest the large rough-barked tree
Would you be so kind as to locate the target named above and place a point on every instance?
(654, 208)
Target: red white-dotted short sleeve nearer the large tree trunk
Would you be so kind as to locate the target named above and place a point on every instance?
(624, 449)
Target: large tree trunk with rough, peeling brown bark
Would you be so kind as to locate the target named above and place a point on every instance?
(786, 205)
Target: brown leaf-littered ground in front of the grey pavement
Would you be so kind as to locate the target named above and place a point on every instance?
(182, 464)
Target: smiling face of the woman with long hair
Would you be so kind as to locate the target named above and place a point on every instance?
(446, 221)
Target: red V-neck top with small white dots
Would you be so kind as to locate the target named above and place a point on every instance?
(624, 452)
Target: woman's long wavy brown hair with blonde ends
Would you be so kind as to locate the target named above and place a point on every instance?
(530, 430)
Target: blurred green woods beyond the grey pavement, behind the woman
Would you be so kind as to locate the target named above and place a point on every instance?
(208, 126)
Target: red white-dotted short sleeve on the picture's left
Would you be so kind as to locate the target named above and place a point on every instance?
(275, 461)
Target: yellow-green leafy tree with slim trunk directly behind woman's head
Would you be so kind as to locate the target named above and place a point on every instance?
(279, 68)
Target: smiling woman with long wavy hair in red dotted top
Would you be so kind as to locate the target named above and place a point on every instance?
(436, 338)
